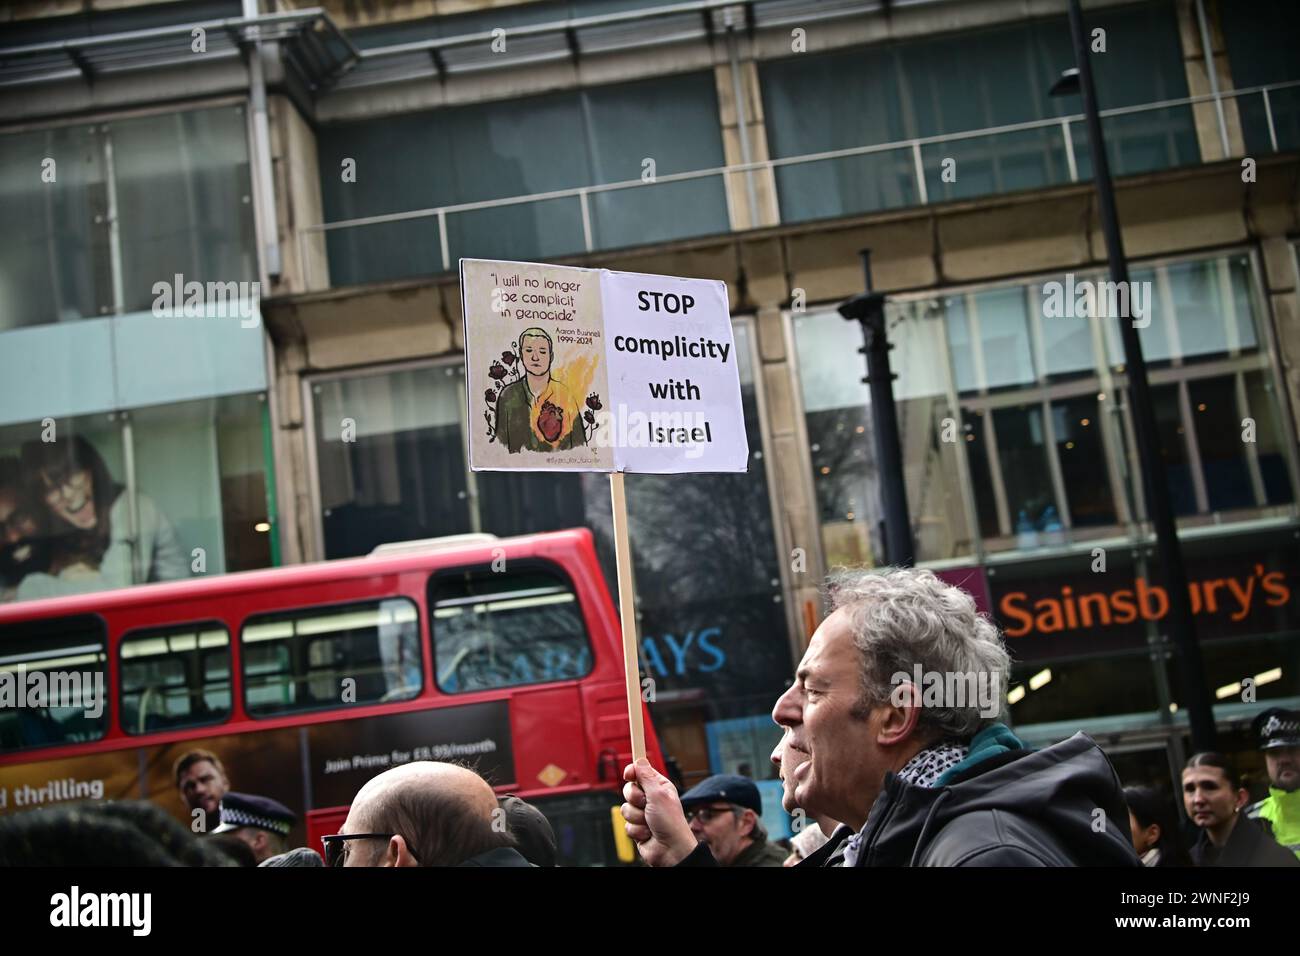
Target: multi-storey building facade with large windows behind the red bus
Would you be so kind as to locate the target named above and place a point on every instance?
(345, 158)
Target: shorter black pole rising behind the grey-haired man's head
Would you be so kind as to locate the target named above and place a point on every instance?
(869, 310)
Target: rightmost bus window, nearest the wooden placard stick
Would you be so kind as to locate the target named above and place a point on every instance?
(502, 630)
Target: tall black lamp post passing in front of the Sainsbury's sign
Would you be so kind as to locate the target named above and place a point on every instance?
(1180, 620)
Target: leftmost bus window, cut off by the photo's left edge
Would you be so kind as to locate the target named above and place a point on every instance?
(53, 684)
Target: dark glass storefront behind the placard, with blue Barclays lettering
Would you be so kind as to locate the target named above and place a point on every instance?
(716, 635)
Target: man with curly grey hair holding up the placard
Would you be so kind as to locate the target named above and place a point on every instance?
(894, 725)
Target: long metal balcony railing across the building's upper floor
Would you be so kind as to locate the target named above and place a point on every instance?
(909, 170)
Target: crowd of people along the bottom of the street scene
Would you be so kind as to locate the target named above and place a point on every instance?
(872, 775)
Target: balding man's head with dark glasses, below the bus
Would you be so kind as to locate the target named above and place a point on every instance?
(440, 815)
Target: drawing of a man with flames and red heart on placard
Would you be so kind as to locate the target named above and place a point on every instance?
(538, 412)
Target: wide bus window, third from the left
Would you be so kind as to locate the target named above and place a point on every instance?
(301, 660)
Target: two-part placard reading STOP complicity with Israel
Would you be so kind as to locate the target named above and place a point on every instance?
(591, 370)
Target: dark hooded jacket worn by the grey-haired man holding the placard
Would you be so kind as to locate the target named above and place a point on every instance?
(1059, 807)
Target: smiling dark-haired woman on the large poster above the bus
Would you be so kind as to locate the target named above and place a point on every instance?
(89, 525)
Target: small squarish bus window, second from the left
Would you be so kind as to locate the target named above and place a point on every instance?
(175, 678)
